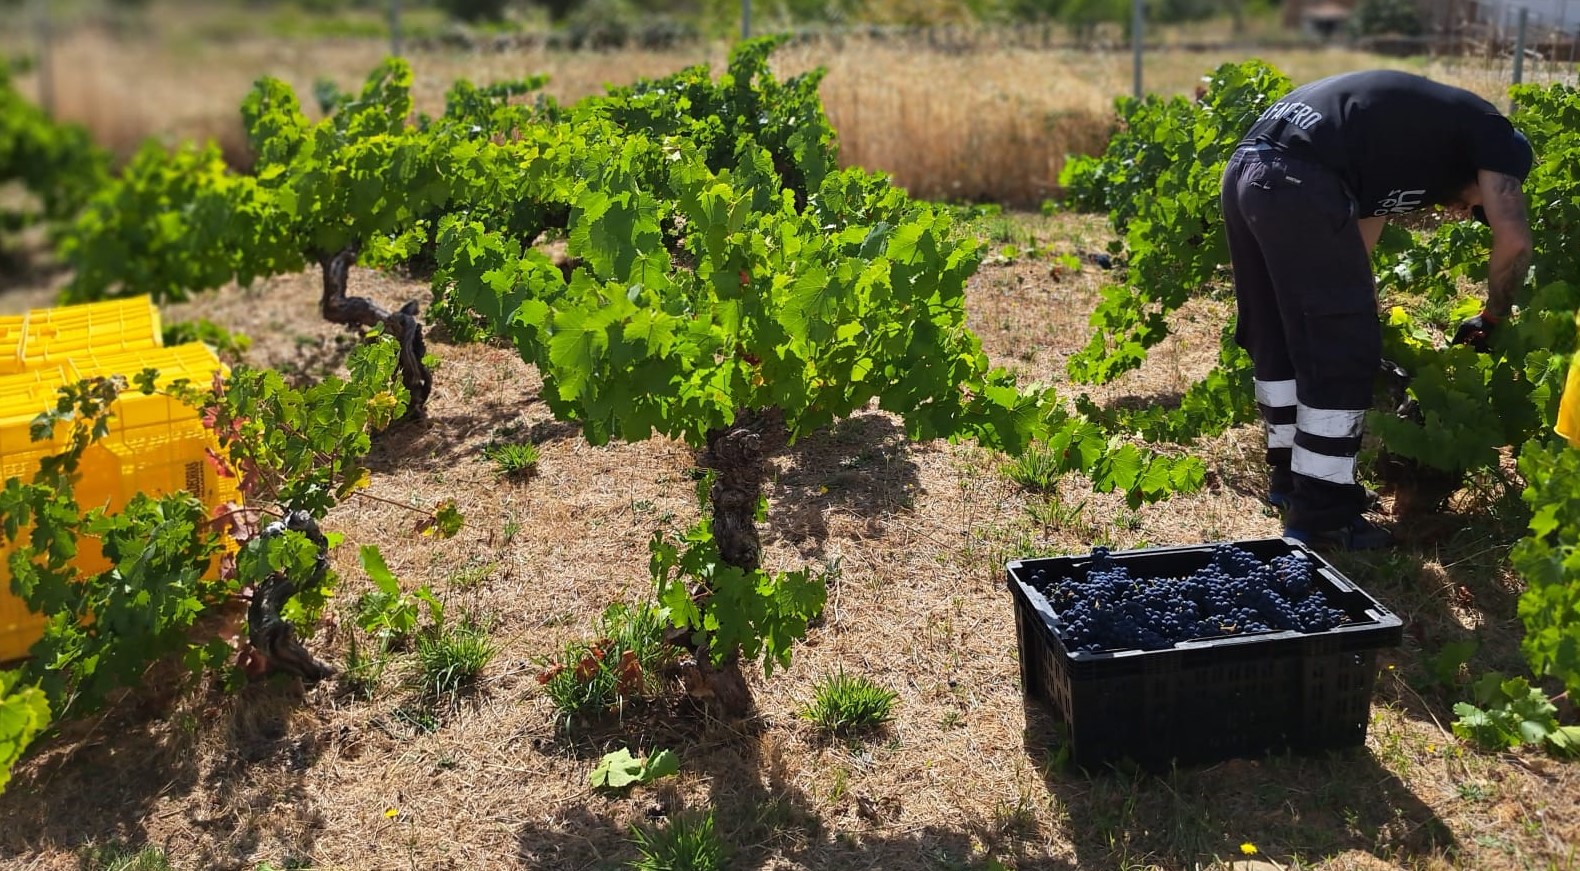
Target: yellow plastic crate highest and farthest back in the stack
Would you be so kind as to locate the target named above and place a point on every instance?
(70, 333)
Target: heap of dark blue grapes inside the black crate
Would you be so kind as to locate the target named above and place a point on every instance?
(1233, 595)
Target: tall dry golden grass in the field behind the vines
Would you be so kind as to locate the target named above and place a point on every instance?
(993, 124)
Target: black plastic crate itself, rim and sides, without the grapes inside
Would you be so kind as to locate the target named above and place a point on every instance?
(1209, 699)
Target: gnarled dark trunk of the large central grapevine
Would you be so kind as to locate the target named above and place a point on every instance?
(737, 456)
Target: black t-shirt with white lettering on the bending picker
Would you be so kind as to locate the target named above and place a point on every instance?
(1399, 141)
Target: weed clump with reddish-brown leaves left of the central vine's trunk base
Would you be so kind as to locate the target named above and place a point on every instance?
(626, 662)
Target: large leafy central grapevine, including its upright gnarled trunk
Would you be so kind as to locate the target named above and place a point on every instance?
(709, 298)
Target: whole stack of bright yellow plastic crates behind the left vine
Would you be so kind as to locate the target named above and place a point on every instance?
(156, 443)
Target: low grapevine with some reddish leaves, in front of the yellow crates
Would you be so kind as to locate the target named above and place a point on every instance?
(299, 453)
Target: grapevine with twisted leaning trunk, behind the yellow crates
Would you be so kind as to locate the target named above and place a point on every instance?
(179, 222)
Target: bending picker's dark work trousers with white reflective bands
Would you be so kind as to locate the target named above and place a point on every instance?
(1309, 319)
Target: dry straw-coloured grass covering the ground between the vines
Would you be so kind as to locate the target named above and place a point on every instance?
(961, 777)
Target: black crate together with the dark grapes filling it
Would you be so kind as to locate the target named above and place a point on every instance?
(1200, 654)
